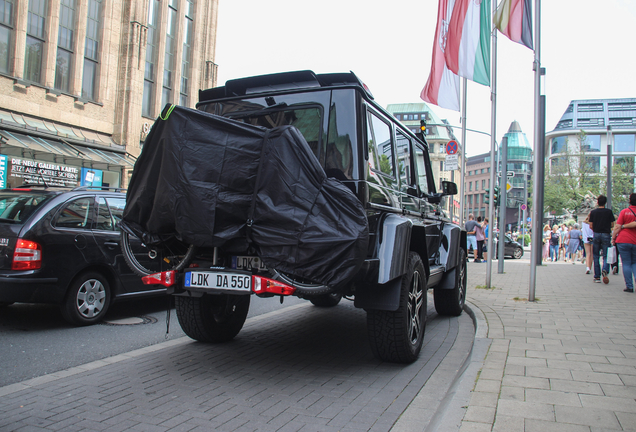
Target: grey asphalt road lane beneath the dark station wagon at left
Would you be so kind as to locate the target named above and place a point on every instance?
(35, 340)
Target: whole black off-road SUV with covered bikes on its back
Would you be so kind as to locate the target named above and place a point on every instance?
(371, 232)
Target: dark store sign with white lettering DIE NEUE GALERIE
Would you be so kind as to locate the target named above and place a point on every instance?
(51, 174)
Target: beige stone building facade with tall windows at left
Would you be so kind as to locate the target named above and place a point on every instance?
(82, 81)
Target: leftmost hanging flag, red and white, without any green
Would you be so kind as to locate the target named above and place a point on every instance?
(442, 87)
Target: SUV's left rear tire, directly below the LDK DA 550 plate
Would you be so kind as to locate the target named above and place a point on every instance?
(212, 318)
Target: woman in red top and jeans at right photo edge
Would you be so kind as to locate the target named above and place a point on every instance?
(624, 237)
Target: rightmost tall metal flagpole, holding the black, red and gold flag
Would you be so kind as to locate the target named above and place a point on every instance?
(538, 141)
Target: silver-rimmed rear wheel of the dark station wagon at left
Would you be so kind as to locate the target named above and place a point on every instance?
(87, 299)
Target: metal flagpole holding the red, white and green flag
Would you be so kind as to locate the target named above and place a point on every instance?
(493, 143)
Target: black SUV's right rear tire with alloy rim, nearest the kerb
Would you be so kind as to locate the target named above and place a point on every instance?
(397, 336)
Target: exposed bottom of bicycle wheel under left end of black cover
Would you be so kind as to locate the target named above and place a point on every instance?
(145, 260)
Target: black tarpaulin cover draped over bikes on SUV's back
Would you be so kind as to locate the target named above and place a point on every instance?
(201, 177)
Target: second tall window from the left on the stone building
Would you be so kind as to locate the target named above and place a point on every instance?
(35, 40)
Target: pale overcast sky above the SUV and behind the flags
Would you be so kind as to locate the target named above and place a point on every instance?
(587, 48)
